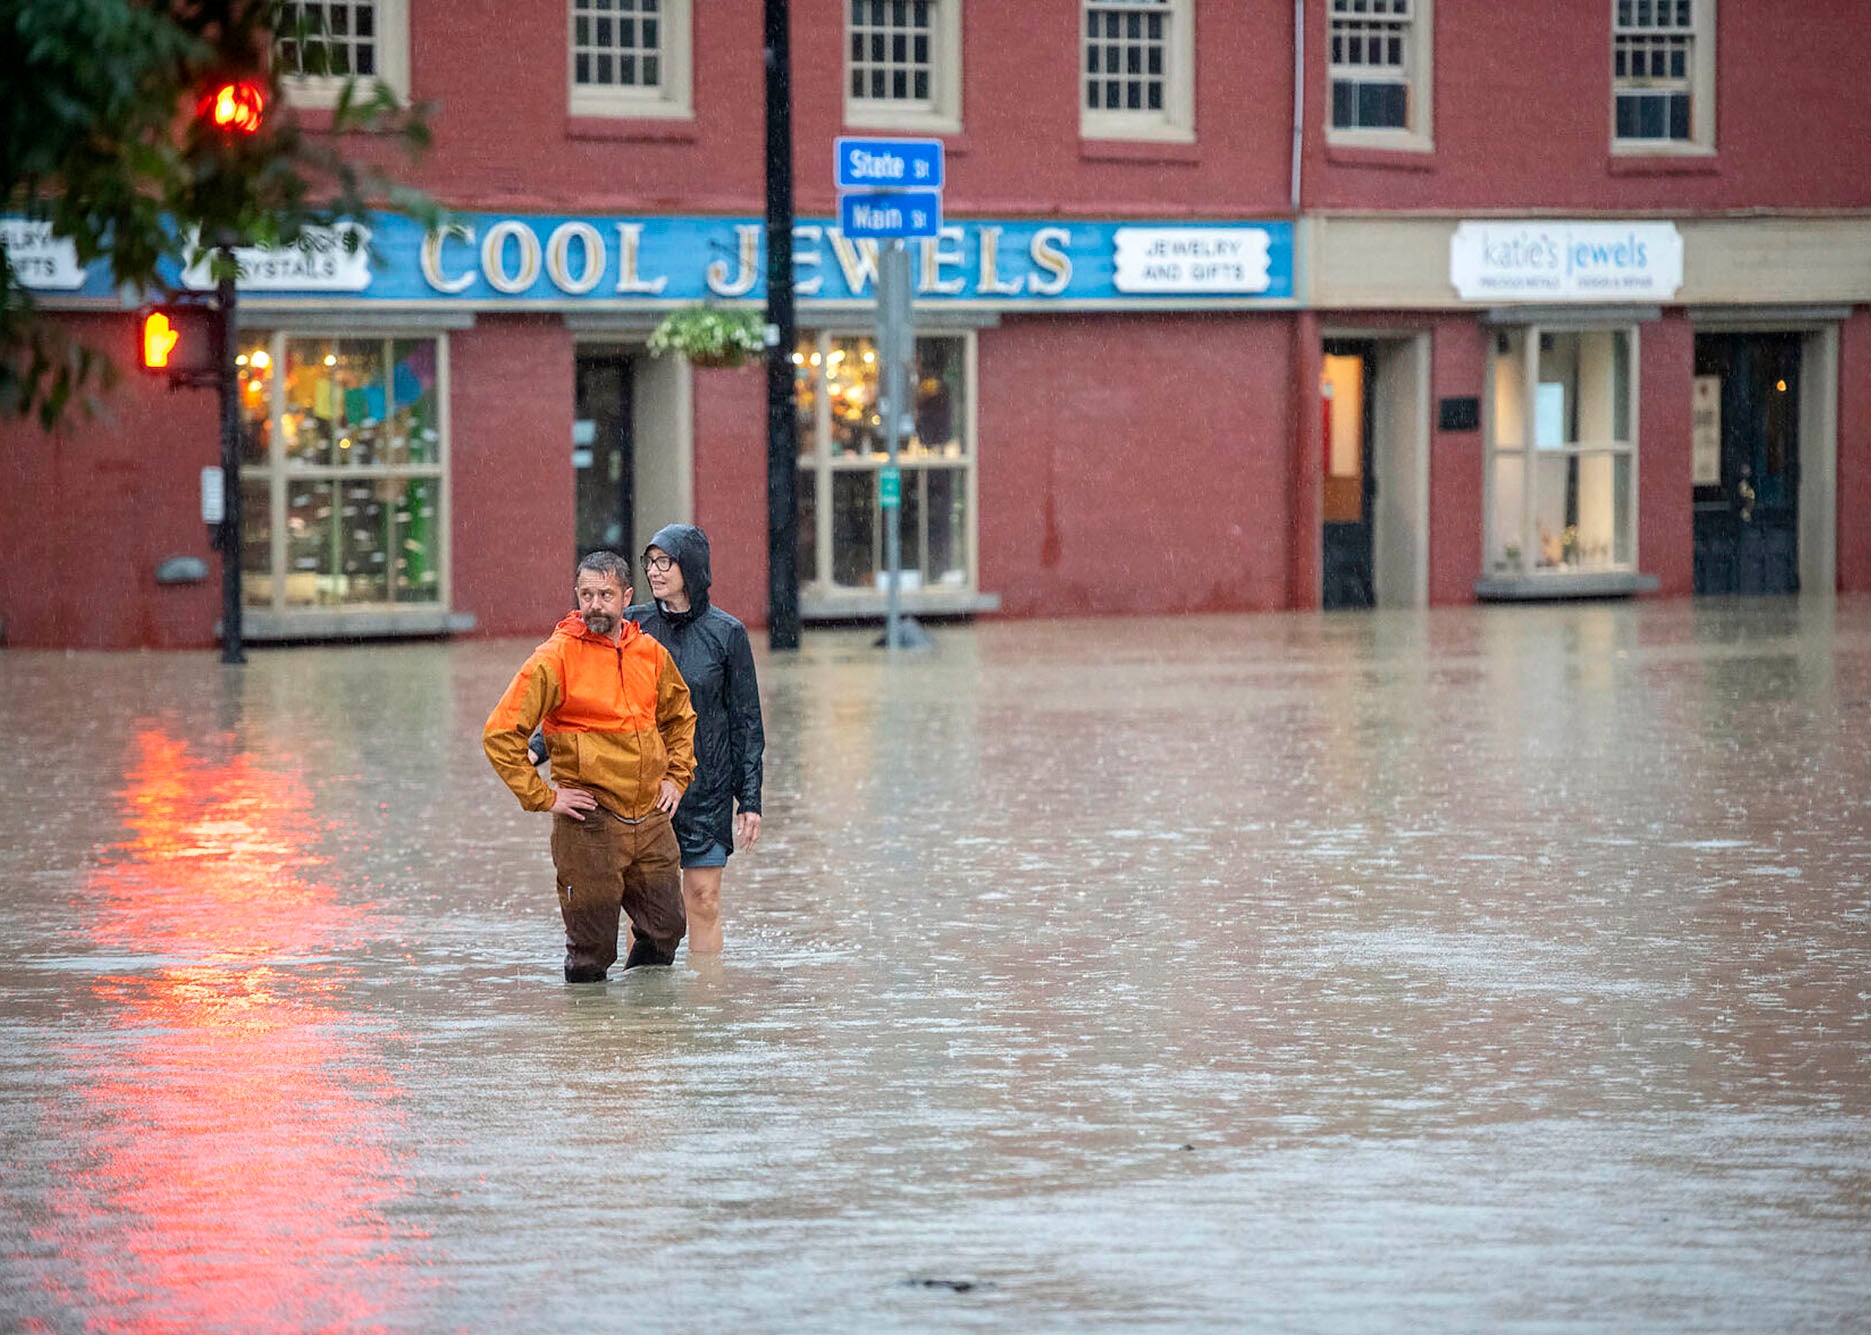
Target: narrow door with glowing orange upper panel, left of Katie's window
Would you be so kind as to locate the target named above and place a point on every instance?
(1350, 379)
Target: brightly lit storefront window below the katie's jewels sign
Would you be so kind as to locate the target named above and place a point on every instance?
(1561, 452)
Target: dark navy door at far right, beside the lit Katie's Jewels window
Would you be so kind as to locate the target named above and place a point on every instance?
(1748, 465)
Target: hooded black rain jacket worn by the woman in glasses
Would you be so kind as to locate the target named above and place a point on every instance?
(712, 652)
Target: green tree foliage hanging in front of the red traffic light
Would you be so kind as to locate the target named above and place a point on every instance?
(98, 136)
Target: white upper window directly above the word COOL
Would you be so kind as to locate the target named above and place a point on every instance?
(630, 59)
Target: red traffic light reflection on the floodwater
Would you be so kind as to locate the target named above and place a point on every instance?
(239, 1147)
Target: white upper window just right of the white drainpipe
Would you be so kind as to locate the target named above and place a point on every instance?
(1380, 72)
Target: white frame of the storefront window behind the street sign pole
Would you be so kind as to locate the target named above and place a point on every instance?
(819, 461)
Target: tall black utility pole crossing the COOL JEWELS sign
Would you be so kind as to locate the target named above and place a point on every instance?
(783, 431)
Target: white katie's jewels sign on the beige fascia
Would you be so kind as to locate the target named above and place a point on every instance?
(1565, 261)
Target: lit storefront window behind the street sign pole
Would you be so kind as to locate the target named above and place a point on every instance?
(843, 450)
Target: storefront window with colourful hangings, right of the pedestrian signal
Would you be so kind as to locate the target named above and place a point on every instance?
(341, 483)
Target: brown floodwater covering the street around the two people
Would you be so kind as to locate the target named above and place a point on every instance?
(1496, 969)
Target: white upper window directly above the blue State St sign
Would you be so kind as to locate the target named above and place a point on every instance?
(905, 65)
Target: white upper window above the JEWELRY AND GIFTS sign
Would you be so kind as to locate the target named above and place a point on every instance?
(1139, 70)
